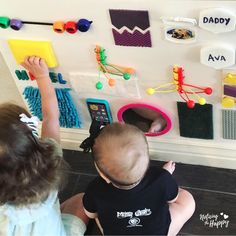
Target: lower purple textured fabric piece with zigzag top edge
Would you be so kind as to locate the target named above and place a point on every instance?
(132, 39)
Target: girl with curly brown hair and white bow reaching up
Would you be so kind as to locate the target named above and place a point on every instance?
(31, 168)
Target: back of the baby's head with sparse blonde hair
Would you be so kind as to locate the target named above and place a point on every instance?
(121, 153)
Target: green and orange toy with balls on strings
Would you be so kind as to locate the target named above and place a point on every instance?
(107, 68)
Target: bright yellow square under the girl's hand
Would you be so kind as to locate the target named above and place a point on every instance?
(24, 48)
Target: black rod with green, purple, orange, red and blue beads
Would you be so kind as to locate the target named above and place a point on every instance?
(71, 27)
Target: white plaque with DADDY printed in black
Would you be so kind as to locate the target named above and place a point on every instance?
(217, 20)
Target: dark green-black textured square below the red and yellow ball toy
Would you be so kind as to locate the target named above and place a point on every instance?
(196, 122)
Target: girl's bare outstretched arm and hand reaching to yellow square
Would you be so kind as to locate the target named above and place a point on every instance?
(39, 69)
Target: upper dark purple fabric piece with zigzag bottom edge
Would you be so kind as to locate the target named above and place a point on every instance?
(129, 18)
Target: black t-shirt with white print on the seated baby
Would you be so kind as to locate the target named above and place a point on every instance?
(142, 210)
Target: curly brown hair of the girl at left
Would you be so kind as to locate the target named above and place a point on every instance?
(30, 168)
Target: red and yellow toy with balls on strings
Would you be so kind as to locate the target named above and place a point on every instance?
(183, 89)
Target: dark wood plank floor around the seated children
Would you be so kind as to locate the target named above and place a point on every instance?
(214, 190)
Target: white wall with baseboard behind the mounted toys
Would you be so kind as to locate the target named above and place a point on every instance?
(153, 66)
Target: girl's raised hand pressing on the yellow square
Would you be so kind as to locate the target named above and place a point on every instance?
(36, 66)
